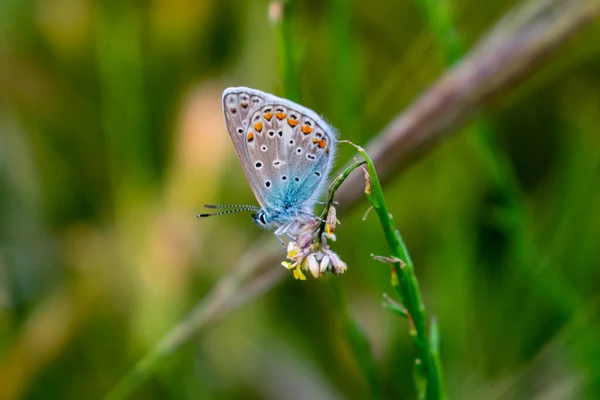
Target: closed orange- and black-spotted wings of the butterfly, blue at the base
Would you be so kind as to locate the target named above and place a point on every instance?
(288, 151)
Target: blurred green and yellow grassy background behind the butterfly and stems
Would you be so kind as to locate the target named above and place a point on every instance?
(112, 137)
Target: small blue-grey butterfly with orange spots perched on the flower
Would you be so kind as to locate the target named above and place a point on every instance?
(286, 152)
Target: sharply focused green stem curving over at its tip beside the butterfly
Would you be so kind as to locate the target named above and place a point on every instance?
(428, 366)
